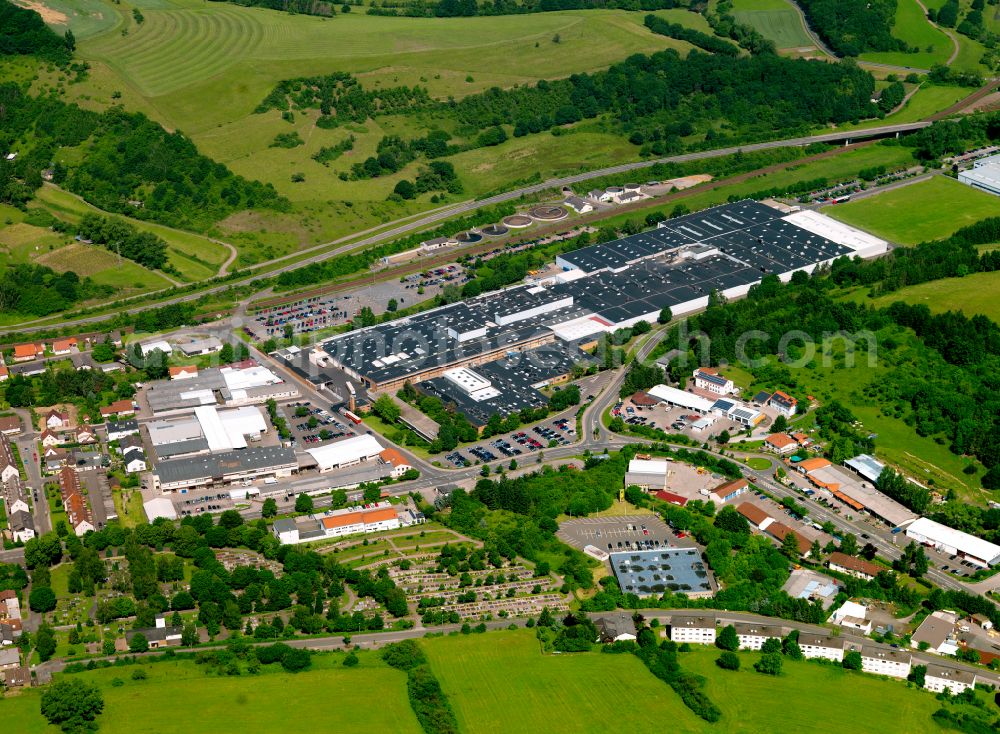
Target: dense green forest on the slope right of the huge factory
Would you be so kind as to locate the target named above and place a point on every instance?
(937, 372)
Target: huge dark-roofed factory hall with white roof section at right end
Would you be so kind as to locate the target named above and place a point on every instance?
(605, 287)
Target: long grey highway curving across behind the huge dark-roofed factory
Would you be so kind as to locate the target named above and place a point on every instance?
(414, 225)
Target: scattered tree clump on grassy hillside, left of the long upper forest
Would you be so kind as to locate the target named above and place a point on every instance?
(341, 98)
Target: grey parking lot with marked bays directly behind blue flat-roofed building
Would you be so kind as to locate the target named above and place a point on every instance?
(628, 532)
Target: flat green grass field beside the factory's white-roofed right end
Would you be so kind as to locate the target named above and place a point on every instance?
(927, 210)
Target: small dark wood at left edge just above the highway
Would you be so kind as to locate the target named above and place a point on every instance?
(38, 290)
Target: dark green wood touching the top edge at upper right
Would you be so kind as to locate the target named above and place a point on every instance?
(851, 27)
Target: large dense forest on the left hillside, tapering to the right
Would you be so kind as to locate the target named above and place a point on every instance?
(132, 164)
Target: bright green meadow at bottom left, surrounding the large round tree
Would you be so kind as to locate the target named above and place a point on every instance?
(232, 703)
